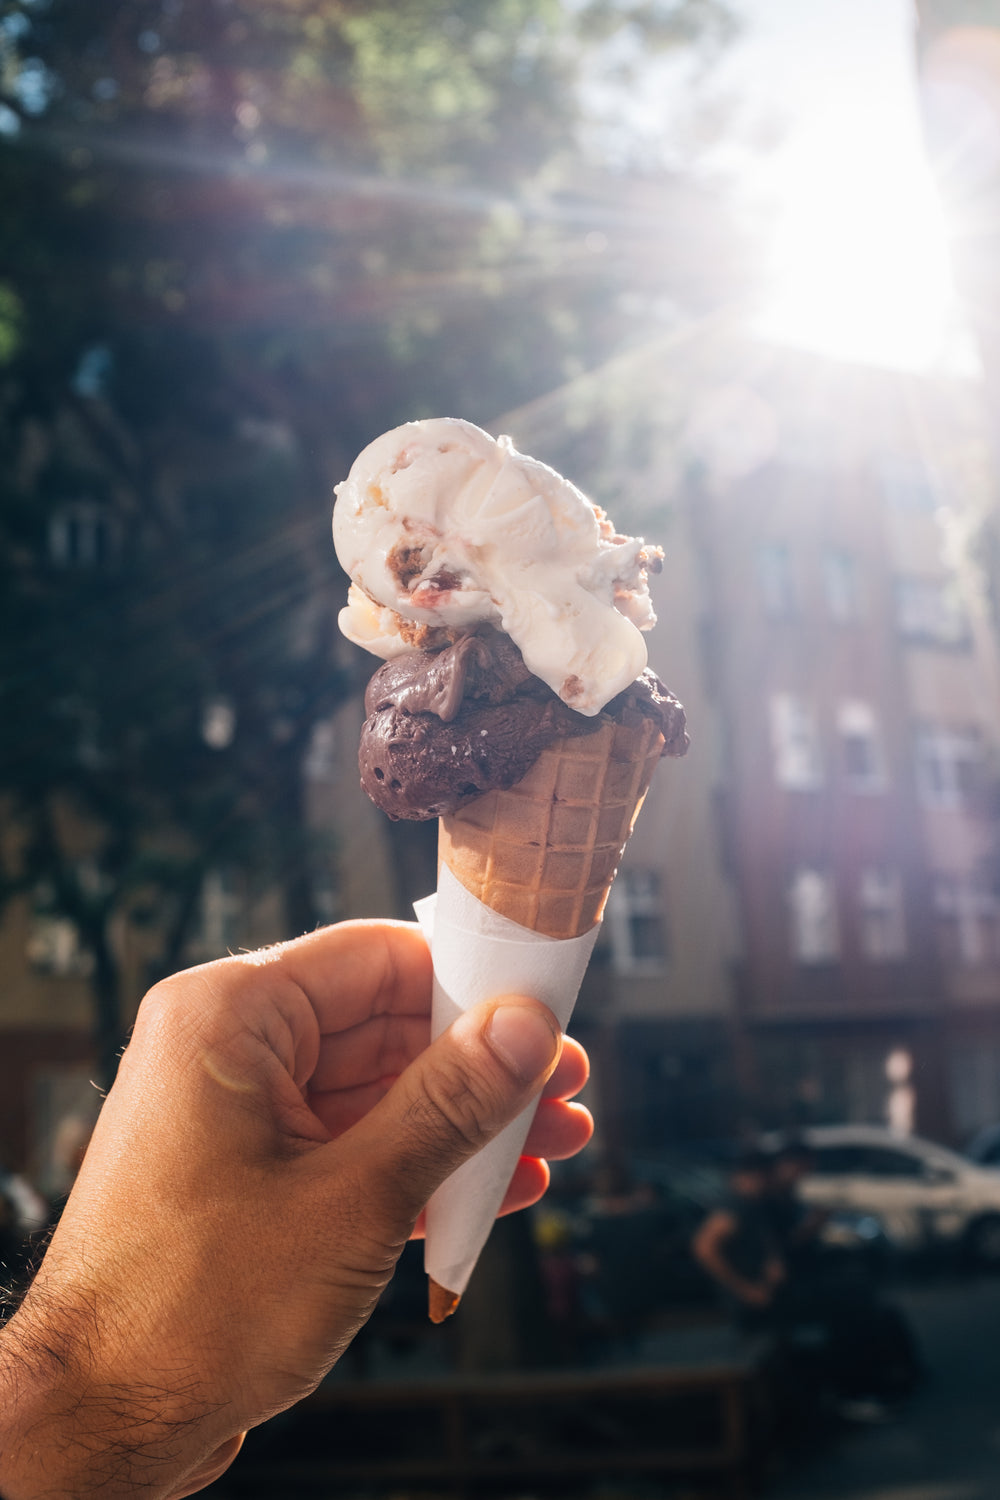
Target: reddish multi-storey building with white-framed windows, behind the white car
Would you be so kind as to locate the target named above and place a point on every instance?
(858, 707)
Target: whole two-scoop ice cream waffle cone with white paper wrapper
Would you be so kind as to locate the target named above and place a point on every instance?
(509, 613)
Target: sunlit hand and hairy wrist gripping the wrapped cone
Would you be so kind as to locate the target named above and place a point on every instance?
(278, 1124)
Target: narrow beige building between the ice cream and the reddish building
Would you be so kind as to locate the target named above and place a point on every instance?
(656, 1010)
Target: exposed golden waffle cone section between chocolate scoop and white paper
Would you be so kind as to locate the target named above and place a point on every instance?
(545, 853)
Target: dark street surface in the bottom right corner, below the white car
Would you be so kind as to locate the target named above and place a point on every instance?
(947, 1444)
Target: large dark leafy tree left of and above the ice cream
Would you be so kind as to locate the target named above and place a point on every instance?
(238, 242)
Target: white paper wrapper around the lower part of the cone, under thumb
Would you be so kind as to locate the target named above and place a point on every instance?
(478, 956)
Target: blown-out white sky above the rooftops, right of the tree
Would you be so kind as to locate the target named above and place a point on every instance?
(858, 245)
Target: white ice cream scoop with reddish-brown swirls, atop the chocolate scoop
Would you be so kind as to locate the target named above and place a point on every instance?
(443, 527)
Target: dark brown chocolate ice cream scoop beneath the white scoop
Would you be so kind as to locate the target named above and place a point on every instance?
(446, 727)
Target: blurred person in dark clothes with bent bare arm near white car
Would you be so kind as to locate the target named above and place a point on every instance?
(738, 1247)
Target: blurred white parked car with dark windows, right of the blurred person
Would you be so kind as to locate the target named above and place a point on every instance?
(927, 1198)
